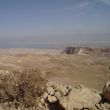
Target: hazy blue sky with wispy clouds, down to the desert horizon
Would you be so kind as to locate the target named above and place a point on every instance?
(53, 23)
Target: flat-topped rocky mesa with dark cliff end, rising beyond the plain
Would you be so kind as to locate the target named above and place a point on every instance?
(89, 51)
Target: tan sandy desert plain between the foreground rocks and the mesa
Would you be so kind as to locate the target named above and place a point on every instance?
(91, 71)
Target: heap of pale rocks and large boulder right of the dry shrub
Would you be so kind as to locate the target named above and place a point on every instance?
(60, 97)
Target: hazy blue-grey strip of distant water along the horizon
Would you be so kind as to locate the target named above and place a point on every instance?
(60, 45)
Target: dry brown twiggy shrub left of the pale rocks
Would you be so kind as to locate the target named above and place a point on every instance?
(22, 88)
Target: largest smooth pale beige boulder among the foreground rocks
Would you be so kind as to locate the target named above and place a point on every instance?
(80, 98)
